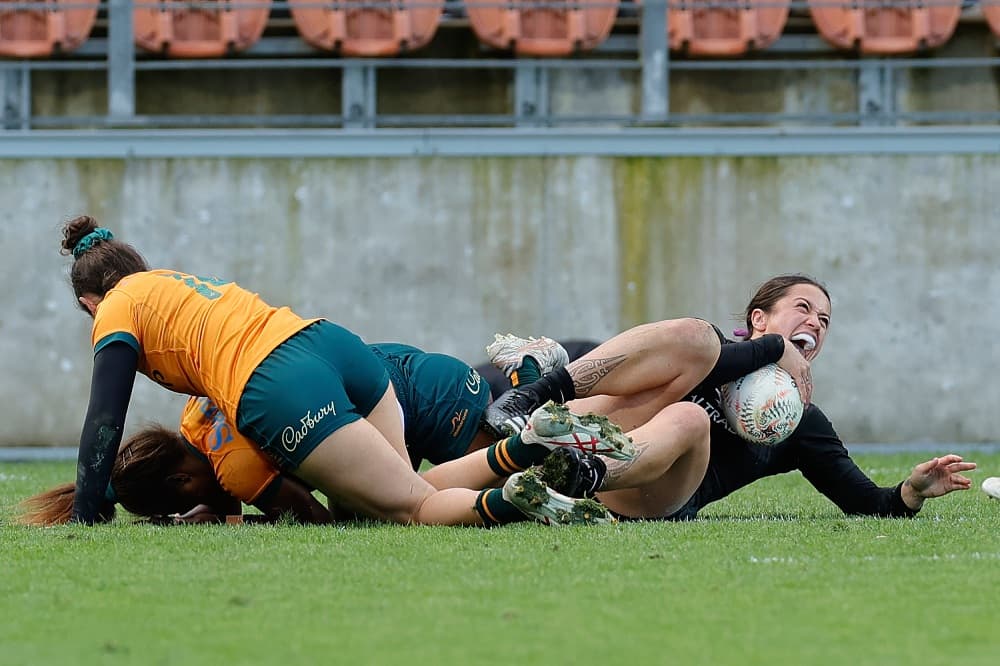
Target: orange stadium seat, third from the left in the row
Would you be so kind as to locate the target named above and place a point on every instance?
(367, 27)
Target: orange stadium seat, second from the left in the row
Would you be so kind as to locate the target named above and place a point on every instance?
(184, 30)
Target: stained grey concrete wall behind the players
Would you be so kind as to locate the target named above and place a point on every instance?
(442, 252)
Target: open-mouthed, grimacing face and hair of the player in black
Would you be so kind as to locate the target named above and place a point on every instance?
(801, 315)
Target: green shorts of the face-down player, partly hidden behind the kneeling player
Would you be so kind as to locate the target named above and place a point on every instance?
(443, 401)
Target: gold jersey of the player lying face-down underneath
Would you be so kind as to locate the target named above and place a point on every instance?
(241, 468)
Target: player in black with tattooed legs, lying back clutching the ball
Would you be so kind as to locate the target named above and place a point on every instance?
(640, 372)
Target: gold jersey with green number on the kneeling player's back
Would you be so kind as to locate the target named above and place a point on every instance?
(195, 335)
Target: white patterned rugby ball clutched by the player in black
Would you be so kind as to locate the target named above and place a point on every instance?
(763, 407)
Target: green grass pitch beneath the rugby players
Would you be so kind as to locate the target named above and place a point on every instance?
(774, 575)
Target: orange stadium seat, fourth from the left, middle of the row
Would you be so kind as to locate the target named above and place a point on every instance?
(534, 29)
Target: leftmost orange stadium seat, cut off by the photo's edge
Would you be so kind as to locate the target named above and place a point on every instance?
(35, 33)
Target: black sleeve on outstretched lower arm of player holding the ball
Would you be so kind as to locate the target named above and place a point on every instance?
(825, 463)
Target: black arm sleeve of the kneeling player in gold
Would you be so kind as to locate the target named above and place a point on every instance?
(110, 391)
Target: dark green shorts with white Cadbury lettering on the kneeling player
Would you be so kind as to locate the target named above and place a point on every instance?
(311, 385)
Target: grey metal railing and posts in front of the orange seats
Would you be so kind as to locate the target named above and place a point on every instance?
(646, 55)
